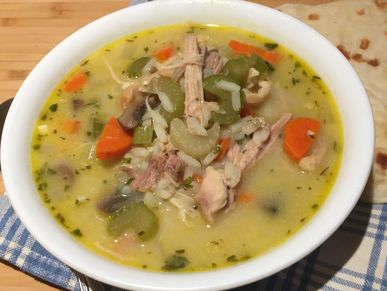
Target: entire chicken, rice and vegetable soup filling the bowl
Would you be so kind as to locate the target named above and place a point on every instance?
(187, 148)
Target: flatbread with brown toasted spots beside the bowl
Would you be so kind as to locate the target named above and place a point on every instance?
(359, 29)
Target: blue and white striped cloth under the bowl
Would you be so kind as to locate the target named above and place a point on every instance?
(354, 258)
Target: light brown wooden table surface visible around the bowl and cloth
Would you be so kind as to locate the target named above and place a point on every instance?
(28, 30)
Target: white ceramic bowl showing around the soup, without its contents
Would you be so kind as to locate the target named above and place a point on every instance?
(316, 50)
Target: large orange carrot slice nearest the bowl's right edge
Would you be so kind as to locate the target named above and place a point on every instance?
(299, 136)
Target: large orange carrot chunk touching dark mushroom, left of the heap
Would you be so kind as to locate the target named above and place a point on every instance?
(114, 141)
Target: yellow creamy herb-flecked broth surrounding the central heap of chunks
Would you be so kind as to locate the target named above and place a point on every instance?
(273, 200)
